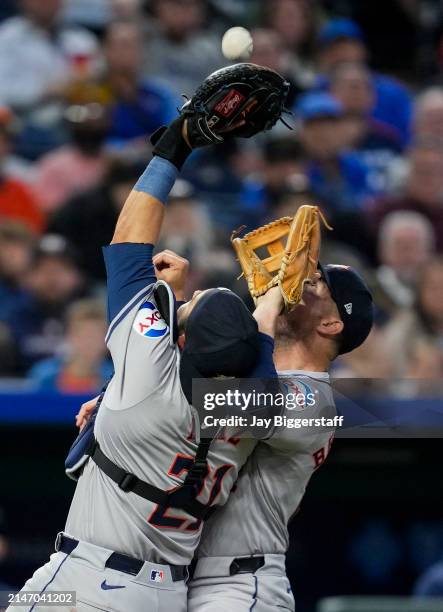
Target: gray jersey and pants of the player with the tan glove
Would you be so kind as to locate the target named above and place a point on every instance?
(254, 520)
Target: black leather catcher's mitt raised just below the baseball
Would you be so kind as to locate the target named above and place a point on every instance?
(239, 101)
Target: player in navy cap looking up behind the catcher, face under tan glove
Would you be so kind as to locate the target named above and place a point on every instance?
(241, 557)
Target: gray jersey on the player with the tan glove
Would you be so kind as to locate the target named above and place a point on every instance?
(274, 479)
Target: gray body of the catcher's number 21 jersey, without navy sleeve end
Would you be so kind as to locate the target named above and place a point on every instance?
(146, 426)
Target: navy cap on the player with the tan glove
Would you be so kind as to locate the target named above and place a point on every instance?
(354, 304)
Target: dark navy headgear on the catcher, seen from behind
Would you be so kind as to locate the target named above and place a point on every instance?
(222, 339)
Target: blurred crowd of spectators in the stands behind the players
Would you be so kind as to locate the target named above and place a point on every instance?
(83, 83)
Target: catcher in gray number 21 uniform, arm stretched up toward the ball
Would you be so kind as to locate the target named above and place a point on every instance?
(121, 550)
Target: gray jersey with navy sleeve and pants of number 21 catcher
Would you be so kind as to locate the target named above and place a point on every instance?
(146, 426)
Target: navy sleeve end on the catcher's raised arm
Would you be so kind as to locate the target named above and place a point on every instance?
(129, 270)
